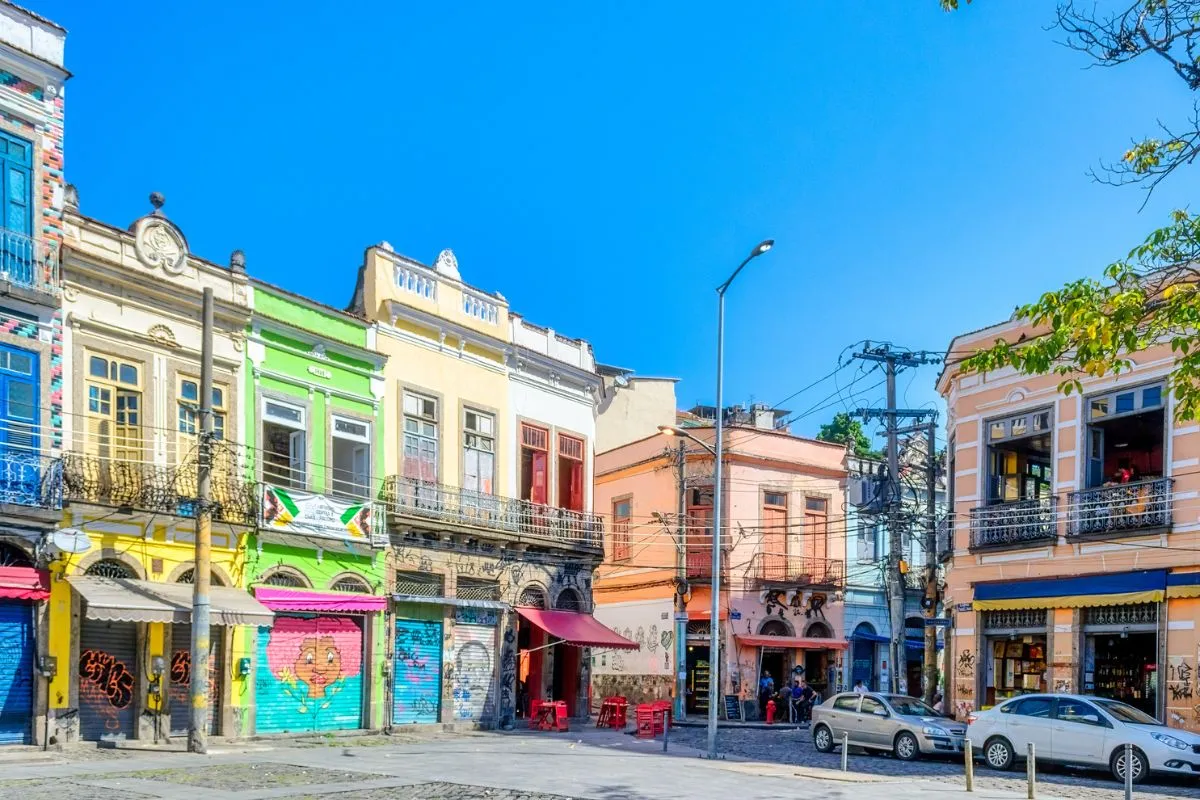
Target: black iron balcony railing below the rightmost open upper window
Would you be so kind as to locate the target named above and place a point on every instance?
(1123, 509)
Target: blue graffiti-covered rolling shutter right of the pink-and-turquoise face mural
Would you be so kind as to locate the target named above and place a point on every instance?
(417, 684)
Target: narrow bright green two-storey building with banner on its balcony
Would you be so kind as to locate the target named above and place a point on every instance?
(314, 436)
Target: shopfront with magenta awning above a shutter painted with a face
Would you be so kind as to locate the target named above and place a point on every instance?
(313, 660)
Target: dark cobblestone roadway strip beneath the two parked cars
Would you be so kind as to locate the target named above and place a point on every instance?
(796, 748)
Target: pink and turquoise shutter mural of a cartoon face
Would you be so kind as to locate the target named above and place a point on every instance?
(310, 675)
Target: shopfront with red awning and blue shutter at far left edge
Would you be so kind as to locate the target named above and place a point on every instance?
(21, 590)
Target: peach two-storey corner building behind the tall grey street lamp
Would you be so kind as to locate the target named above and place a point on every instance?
(783, 570)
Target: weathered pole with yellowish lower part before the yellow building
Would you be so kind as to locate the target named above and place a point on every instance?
(199, 725)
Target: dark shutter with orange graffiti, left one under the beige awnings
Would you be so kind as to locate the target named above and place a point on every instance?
(107, 679)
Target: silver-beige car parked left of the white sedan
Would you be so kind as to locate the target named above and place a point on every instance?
(893, 723)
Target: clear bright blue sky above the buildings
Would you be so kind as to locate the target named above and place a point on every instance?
(605, 166)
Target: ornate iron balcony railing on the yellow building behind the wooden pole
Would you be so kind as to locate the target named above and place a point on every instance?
(153, 488)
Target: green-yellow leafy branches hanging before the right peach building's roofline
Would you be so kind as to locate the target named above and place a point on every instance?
(1091, 328)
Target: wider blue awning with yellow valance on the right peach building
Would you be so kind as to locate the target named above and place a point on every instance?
(1114, 590)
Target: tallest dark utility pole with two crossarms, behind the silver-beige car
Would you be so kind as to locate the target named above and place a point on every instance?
(893, 362)
